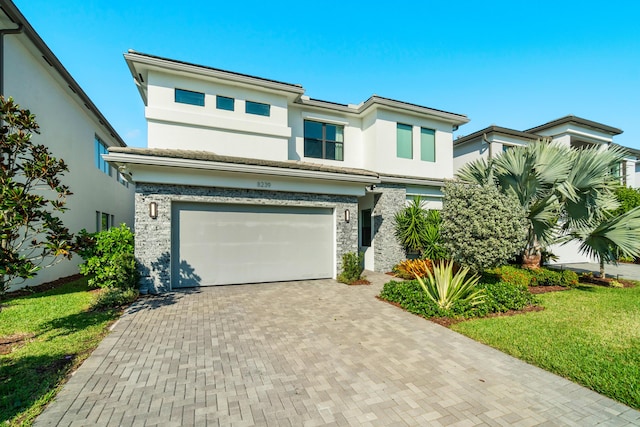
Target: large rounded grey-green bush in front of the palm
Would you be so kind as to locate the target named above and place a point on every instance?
(481, 227)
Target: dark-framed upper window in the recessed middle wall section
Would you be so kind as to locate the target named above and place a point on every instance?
(323, 140)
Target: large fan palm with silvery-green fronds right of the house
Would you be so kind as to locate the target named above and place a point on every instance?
(562, 190)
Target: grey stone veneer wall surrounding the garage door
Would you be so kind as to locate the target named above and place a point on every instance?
(153, 236)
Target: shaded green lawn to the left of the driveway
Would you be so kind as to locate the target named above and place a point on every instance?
(61, 334)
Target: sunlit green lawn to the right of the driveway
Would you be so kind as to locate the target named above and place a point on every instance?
(590, 335)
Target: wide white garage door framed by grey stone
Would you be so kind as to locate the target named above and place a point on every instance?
(226, 244)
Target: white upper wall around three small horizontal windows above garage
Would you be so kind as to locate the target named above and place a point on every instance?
(232, 133)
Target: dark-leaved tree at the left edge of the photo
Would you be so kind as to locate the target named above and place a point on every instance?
(32, 236)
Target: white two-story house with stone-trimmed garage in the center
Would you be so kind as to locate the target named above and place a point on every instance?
(246, 179)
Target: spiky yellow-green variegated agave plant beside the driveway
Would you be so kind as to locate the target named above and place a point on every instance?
(445, 288)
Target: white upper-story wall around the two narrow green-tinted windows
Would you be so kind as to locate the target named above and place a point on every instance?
(381, 144)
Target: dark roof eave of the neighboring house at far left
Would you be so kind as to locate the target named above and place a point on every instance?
(12, 12)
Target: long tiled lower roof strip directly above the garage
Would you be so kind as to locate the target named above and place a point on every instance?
(212, 157)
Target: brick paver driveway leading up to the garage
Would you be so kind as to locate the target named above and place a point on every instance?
(308, 353)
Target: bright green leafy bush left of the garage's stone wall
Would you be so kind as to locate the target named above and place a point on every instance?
(109, 258)
